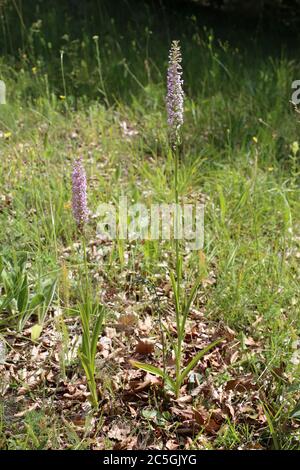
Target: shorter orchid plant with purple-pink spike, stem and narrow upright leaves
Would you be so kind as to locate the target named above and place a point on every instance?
(91, 315)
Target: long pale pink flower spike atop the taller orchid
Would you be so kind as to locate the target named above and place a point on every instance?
(175, 94)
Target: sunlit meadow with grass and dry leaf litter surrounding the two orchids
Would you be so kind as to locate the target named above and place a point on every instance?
(91, 80)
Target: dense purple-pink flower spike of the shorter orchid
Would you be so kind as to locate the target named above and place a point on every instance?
(79, 195)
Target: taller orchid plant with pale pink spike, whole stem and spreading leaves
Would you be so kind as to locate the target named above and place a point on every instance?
(183, 303)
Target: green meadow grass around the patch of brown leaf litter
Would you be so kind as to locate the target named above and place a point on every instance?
(252, 233)
